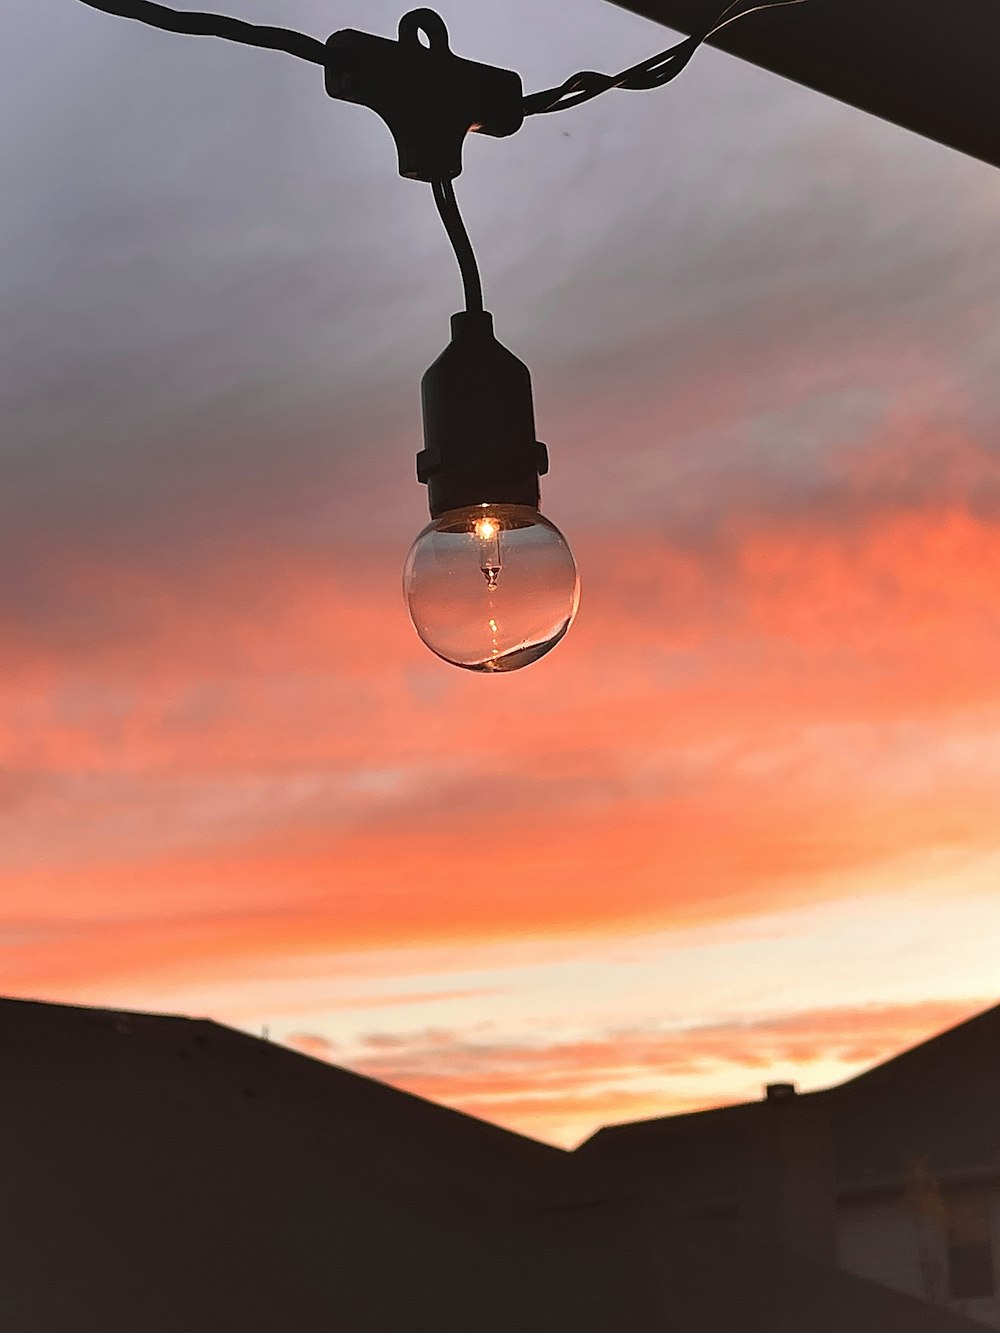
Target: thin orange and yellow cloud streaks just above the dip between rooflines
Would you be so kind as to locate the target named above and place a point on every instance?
(569, 1090)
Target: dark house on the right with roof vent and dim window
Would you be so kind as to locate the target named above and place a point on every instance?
(894, 1176)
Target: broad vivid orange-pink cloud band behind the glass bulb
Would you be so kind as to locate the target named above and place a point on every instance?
(250, 759)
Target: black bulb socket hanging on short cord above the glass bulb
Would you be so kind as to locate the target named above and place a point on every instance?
(479, 423)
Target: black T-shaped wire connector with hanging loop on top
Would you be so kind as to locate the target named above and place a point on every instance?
(429, 97)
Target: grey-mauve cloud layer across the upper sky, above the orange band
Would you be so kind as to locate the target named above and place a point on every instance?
(218, 298)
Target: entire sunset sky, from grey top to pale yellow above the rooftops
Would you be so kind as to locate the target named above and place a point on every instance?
(745, 823)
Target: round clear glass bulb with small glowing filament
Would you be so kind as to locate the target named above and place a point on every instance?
(491, 587)
